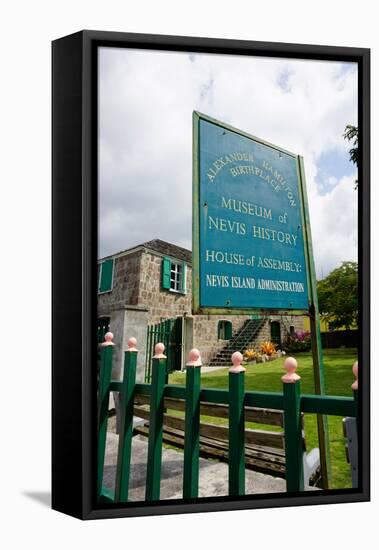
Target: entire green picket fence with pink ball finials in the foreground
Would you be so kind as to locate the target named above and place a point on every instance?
(291, 401)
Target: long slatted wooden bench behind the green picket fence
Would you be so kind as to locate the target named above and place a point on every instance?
(264, 450)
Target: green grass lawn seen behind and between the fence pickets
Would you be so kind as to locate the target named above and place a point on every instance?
(267, 377)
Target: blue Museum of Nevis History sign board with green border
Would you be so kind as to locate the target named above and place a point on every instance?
(251, 244)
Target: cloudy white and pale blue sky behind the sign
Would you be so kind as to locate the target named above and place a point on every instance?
(146, 100)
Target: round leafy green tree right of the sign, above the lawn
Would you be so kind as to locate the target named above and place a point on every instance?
(338, 296)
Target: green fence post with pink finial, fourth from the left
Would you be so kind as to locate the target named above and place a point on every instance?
(192, 426)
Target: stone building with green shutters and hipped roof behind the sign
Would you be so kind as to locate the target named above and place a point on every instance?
(141, 288)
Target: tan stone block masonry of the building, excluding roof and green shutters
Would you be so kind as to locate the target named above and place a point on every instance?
(137, 282)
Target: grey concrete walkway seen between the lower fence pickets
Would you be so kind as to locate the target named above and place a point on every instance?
(213, 474)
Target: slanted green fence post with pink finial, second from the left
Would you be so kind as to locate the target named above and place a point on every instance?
(126, 422)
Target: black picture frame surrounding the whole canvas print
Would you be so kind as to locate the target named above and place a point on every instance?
(74, 205)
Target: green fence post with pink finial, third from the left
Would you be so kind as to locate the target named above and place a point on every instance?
(154, 453)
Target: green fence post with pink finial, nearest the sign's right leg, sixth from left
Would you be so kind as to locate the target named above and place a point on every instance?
(292, 427)
